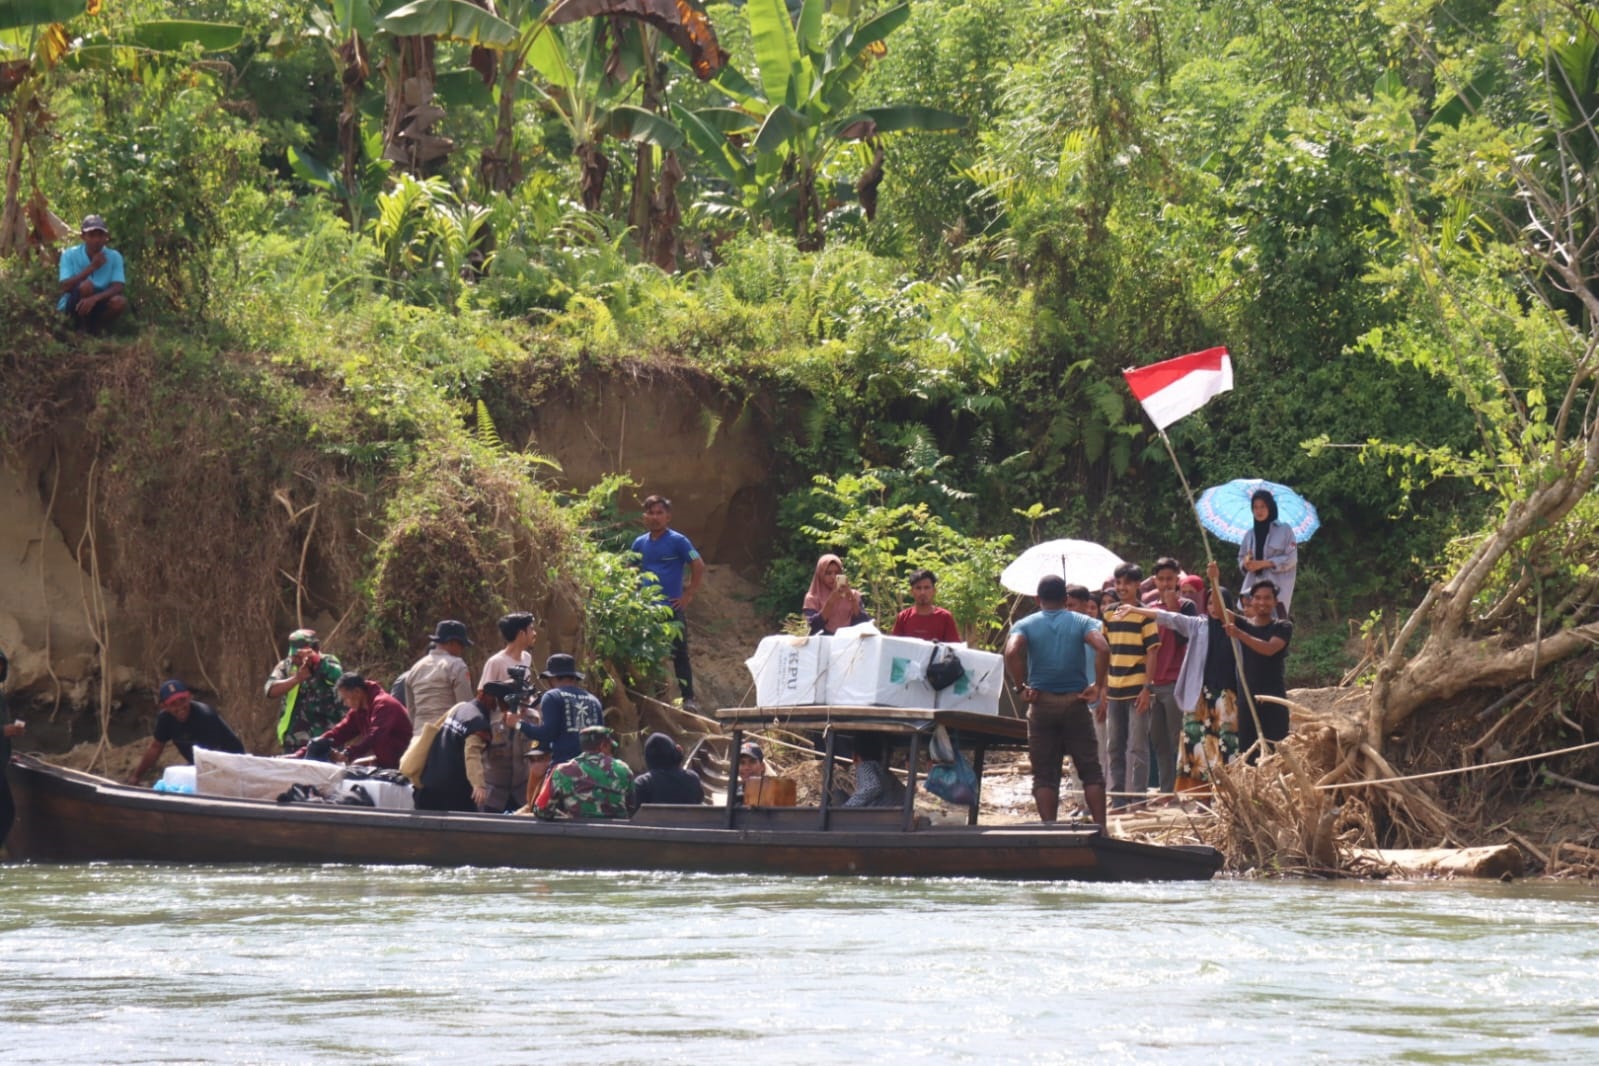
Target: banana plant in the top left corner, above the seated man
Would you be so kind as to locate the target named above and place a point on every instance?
(34, 42)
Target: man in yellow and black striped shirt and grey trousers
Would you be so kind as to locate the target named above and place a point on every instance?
(1126, 714)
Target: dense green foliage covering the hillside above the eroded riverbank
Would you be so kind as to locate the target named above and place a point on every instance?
(1133, 181)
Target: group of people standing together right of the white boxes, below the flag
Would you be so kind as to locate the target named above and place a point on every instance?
(1171, 666)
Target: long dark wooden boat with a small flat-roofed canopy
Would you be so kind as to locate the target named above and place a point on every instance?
(66, 816)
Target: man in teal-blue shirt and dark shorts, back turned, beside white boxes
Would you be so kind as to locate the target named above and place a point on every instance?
(1048, 650)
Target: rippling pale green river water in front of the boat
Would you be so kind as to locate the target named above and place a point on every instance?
(348, 965)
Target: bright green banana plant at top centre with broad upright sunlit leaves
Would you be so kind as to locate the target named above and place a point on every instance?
(776, 143)
